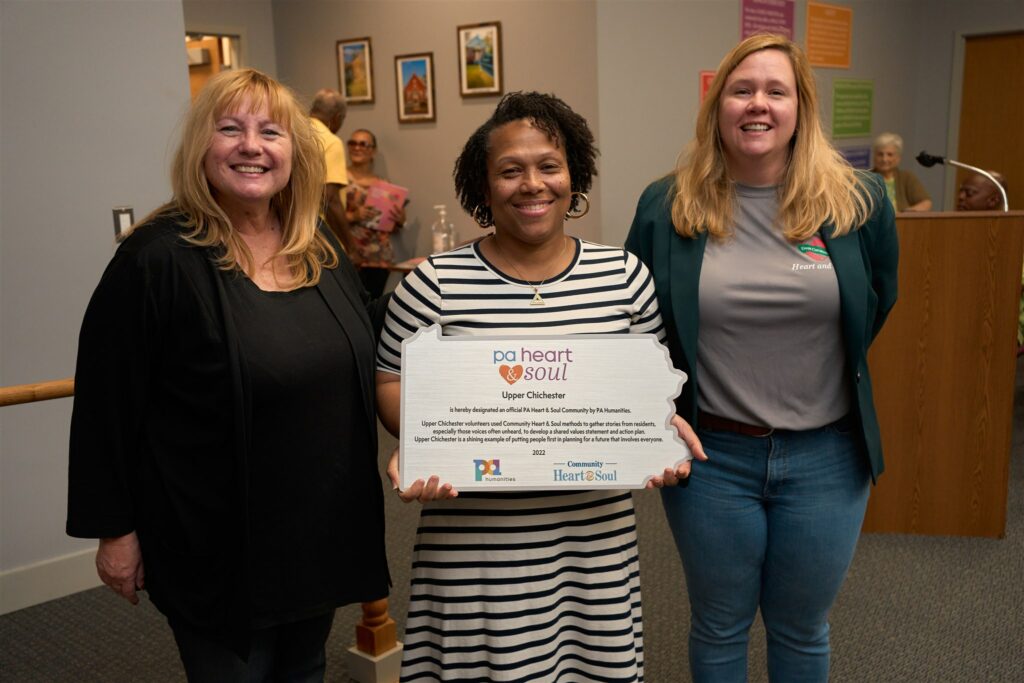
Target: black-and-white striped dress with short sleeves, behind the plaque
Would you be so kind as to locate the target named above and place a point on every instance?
(534, 586)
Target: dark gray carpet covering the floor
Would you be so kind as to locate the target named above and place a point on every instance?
(914, 610)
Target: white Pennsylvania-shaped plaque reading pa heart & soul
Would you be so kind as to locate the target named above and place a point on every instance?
(538, 413)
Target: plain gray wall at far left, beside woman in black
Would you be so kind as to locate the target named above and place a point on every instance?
(93, 93)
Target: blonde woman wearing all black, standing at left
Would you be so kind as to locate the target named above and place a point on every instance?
(224, 439)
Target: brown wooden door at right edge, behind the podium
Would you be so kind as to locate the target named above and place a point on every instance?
(993, 110)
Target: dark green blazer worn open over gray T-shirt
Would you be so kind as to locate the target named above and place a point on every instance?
(865, 262)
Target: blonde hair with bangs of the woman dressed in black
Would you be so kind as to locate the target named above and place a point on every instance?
(297, 205)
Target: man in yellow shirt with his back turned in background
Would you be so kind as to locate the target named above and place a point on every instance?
(327, 115)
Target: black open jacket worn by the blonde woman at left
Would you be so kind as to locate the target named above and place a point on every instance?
(161, 424)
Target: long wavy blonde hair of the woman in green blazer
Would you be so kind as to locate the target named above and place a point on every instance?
(819, 187)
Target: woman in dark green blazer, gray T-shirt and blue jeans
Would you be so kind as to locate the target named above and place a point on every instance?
(776, 266)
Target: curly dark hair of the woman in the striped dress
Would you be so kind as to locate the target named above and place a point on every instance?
(564, 127)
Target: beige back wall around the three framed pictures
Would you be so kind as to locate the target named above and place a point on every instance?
(548, 47)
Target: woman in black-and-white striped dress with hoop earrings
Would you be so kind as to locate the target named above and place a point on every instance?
(526, 585)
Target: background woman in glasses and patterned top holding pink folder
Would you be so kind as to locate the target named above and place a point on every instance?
(371, 248)
